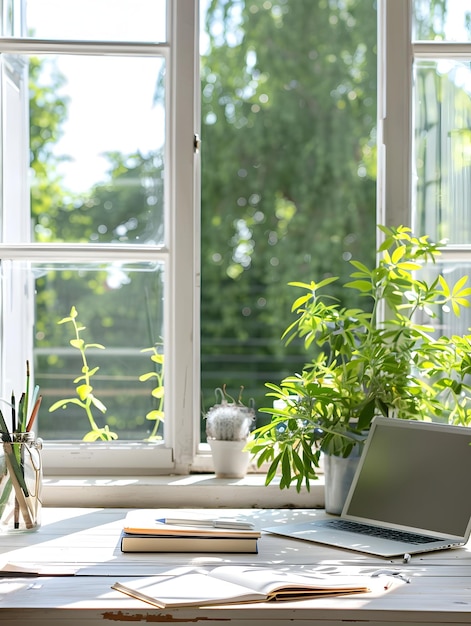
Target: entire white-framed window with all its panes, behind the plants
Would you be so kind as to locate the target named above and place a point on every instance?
(315, 125)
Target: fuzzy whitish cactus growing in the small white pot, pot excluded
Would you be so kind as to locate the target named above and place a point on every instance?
(229, 421)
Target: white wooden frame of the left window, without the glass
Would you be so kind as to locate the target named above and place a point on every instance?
(180, 254)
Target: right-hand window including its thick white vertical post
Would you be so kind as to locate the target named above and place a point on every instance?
(424, 176)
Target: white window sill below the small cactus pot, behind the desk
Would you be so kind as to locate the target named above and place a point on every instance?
(190, 491)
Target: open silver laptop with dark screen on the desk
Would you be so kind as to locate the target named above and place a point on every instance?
(408, 494)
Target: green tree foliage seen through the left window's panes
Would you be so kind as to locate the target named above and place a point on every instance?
(114, 299)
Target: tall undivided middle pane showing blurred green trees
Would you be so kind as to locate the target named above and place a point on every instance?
(288, 175)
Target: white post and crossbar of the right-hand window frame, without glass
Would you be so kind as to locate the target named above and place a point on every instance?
(397, 52)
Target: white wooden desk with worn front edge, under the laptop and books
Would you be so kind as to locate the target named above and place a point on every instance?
(439, 592)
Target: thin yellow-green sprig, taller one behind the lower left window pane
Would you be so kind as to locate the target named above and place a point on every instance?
(85, 397)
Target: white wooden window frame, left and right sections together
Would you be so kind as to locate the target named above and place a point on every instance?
(396, 52)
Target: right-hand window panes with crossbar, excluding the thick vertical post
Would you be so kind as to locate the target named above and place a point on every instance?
(441, 146)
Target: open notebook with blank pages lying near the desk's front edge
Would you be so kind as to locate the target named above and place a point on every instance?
(234, 584)
